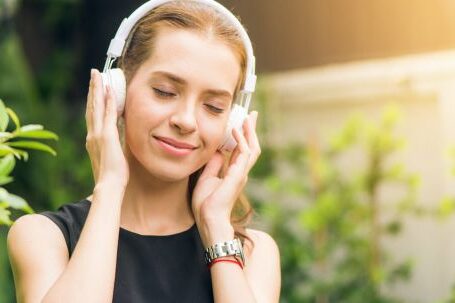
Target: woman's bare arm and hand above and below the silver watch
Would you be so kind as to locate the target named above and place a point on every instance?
(213, 200)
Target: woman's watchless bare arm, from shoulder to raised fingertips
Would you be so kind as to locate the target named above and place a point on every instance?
(37, 250)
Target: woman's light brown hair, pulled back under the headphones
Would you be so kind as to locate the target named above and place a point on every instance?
(198, 17)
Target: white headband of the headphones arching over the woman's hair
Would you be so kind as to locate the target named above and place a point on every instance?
(118, 43)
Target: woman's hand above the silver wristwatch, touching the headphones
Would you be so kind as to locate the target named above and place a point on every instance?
(214, 196)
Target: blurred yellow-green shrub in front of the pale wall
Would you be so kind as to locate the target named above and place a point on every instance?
(329, 218)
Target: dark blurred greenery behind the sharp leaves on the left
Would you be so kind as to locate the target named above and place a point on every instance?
(44, 87)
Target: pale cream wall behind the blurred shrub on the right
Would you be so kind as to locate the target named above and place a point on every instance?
(315, 102)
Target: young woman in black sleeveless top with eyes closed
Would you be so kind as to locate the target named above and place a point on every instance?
(163, 191)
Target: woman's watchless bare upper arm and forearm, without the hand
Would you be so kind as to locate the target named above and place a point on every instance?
(39, 256)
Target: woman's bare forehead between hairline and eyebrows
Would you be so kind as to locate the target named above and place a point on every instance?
(202, 60)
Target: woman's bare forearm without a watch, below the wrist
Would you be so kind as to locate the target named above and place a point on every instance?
(90, 274)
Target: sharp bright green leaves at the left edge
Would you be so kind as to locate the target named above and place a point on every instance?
(10, 149)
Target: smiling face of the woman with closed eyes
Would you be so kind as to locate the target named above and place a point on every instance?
(178, 103)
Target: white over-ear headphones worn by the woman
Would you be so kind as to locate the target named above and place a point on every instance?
(116, 79)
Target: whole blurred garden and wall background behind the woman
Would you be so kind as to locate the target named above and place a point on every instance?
(357, 124)
